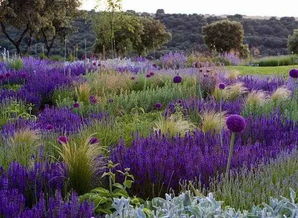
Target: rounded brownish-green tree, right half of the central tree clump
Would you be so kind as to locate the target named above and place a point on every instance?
(154, 35)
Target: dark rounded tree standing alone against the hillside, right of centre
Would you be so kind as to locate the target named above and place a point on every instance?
(224, 36)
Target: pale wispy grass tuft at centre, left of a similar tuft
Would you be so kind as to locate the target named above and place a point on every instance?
(173, 125)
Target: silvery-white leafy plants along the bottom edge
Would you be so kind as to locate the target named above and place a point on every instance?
(187, 205)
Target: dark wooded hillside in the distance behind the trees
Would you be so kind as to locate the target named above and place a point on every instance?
(268, 35)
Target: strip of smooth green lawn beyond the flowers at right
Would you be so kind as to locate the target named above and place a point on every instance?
(250, 70)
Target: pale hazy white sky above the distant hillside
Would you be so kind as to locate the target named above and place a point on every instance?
(217, 7)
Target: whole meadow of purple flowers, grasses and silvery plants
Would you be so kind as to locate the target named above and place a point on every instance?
(146, 138)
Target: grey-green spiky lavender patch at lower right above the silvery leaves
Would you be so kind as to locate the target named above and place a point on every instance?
(247, 188)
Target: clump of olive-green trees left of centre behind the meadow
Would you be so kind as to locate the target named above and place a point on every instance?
(129, 33)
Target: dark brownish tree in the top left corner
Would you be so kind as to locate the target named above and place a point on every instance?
(22, 15)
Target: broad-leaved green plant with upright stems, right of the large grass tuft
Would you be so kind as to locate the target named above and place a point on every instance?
(103, 198)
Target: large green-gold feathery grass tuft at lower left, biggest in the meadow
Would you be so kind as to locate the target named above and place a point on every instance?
(82, 162)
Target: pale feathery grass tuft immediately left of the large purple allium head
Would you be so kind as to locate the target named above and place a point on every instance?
(213, 121)
